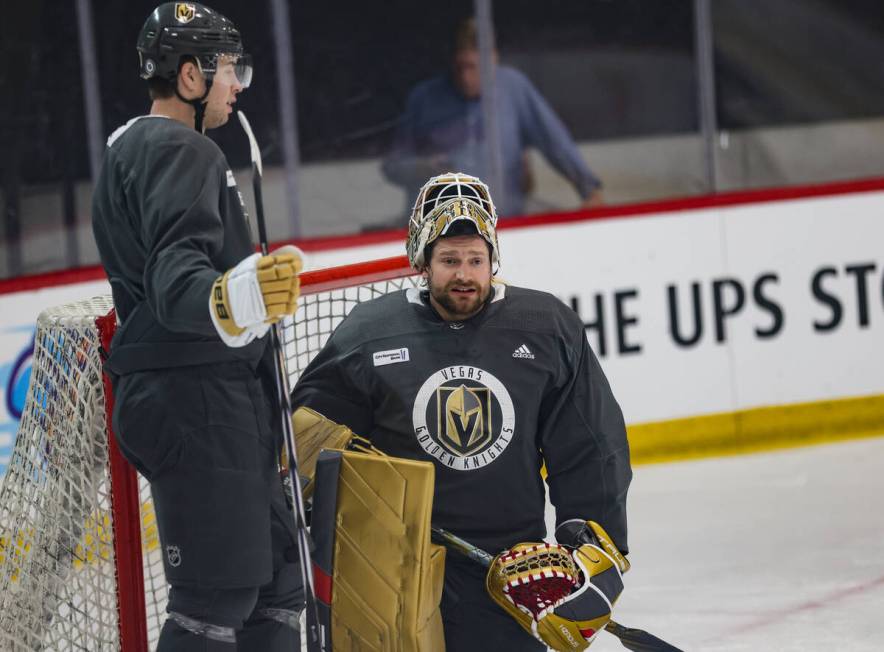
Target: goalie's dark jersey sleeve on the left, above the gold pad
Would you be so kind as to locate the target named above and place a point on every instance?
(333, 386)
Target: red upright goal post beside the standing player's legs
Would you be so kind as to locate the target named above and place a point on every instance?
(126, 509)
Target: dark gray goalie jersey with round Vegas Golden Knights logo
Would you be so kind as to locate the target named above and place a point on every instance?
(488, 400)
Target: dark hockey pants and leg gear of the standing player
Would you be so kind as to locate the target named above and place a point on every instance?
(206, 437)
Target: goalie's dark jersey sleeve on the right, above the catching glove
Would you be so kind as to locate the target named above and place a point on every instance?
(584, 445)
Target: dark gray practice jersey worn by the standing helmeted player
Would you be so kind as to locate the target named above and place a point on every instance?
(168, 220)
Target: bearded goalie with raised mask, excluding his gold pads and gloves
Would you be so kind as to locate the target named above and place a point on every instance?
(488, 381)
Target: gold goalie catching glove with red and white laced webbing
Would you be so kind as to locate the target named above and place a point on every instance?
(562, 595)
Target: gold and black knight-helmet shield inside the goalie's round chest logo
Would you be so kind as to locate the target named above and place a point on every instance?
(464, 418)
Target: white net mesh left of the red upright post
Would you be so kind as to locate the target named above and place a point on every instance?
(57, 587)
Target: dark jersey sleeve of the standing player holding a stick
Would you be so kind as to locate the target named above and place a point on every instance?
(181, 228)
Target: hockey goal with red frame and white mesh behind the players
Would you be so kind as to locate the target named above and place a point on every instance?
(80, 560)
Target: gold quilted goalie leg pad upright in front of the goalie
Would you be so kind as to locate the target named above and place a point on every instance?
(380, 577)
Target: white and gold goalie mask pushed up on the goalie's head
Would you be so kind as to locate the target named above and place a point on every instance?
(445, 200)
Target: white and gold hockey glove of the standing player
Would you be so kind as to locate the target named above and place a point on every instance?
(246, 300)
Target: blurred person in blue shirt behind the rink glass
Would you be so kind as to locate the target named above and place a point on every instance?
(442, 129)
